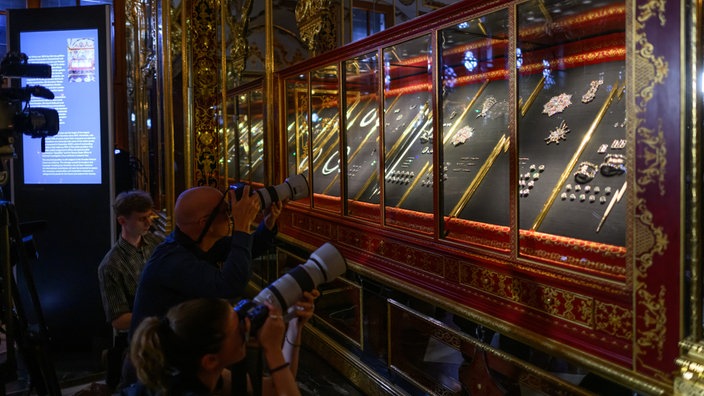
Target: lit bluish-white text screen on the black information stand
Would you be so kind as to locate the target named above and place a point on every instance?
(72, 156)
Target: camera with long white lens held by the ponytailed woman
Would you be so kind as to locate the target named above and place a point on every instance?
(324, 265)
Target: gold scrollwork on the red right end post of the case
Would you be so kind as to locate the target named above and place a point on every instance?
(650, 239)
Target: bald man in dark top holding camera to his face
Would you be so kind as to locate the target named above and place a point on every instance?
(209, 253)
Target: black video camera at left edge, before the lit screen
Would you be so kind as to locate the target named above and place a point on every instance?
(16, 116)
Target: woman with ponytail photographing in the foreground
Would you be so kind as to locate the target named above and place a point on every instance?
(188, 351)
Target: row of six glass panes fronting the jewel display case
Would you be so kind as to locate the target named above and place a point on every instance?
(521, 127)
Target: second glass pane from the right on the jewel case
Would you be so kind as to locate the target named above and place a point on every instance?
(475, 122)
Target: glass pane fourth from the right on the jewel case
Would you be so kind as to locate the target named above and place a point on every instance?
(362, 135)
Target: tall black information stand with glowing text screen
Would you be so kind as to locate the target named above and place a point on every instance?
(67, 183)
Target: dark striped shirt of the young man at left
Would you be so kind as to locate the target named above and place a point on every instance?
(119, 272)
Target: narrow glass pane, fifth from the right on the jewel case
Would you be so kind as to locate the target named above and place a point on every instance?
(325, 129)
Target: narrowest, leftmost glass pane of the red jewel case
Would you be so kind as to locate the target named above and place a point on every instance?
(297, 125)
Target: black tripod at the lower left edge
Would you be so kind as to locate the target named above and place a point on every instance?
(20, 311)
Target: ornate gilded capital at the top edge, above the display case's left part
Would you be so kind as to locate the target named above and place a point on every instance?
(316, 24)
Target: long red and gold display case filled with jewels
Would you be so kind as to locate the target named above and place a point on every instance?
(504, 161)
